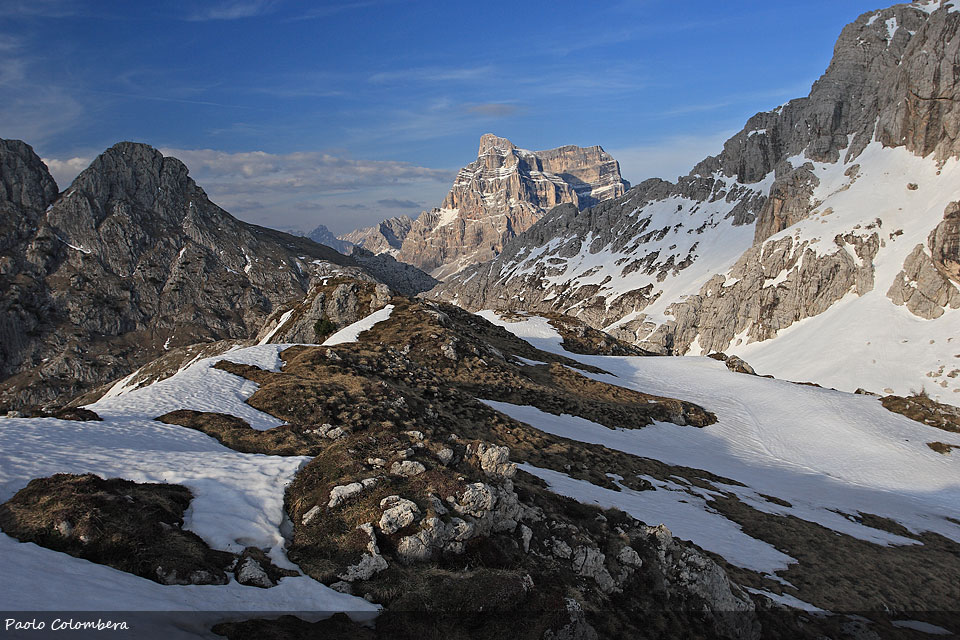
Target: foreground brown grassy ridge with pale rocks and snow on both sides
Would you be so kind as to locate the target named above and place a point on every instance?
(482, 477)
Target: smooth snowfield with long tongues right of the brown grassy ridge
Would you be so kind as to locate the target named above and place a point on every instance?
(824, 456)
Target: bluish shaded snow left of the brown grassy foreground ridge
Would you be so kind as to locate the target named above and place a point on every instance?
(238, 498)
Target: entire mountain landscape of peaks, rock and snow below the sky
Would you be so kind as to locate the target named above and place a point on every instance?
(554, 407)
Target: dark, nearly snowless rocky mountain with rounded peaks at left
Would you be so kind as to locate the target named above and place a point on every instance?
(133, 259)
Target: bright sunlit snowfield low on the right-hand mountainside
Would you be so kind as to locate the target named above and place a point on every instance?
(866, 340)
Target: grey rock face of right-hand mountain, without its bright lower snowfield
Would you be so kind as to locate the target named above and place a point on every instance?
(890, 80)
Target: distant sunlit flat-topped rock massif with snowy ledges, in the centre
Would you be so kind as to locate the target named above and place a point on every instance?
(500, 194)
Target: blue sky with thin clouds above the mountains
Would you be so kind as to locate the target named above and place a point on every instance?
(293, 113)
